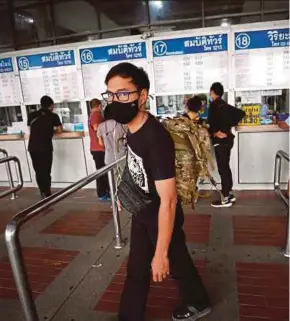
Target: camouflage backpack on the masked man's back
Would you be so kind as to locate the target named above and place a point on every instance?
(193, 155)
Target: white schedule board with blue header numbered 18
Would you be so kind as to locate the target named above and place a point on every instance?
(262, 59)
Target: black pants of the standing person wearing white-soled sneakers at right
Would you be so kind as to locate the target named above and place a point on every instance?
(223, 155)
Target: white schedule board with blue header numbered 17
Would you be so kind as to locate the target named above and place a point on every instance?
(185, 65)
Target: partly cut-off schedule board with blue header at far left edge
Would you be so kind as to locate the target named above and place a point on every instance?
(8, 87)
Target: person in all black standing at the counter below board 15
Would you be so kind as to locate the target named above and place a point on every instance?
(42, 124)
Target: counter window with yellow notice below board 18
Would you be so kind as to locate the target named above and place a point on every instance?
(264, 107)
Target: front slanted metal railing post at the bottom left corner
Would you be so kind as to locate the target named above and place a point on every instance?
(19, 272)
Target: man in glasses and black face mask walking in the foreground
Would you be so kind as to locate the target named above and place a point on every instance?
(158, 246)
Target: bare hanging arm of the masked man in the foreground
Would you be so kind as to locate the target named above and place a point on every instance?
(166, 190)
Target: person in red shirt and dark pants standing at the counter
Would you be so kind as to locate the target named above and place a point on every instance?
(97, 150)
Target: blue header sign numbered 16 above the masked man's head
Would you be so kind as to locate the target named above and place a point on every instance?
(119, 52)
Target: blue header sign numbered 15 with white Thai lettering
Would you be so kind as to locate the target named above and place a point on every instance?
(46, 60)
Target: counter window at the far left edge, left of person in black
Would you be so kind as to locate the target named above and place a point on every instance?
(11, 121)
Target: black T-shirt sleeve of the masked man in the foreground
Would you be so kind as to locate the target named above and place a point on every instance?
(162, 156)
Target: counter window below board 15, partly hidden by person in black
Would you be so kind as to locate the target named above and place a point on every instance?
(70, 114)
